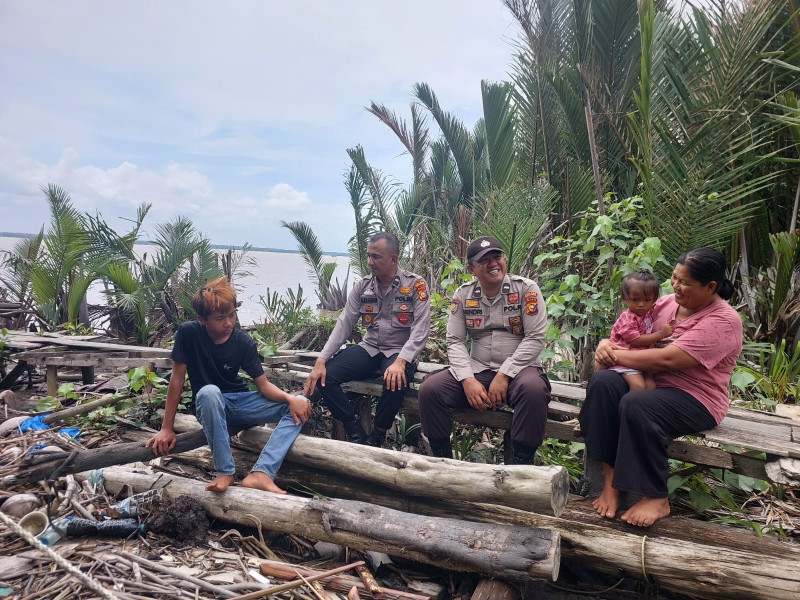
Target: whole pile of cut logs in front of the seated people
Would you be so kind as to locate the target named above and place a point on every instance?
(507, 522)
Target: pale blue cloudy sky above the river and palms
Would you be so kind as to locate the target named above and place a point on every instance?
(235, 114)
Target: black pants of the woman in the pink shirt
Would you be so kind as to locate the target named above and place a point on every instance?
(631, 430)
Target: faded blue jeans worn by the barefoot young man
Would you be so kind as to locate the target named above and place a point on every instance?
(224, 414)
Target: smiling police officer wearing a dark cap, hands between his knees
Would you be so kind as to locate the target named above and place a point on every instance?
(505, 318)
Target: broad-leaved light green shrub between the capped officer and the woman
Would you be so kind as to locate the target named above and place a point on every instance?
(580, 277)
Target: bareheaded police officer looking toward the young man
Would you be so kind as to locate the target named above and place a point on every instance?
(394, 308)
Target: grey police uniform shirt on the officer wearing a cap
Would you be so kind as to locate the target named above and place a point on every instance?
(507, 332)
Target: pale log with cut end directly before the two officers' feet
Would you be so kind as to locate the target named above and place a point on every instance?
(538, 489)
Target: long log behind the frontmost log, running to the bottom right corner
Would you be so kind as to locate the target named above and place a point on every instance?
(683, 555)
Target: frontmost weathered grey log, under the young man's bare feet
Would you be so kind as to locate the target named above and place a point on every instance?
(512, 552)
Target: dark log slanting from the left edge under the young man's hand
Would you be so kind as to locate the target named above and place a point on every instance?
(39, 468)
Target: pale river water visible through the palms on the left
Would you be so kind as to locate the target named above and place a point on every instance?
(275, 271)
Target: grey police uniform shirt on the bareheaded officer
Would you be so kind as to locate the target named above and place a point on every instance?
(397, 323)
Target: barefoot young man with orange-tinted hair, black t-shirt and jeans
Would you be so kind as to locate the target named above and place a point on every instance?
(212, 352)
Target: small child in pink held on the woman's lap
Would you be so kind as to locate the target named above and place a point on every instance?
(634, 327)
